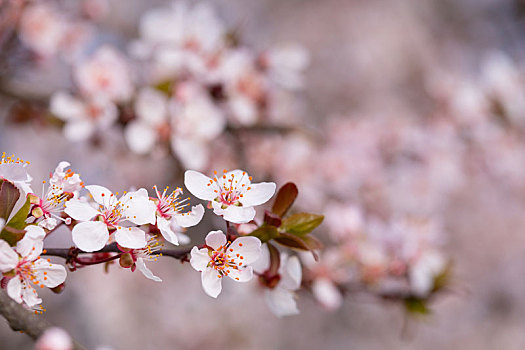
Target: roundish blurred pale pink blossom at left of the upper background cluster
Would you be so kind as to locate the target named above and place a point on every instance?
(105, 75)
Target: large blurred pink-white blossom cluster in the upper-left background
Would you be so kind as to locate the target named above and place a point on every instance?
(178, 86)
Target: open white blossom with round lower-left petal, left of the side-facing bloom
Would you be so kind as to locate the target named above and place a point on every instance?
(91, 235)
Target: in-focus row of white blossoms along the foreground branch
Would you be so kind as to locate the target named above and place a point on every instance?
(133, 228)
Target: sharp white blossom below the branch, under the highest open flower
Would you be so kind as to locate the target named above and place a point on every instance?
(223, 258)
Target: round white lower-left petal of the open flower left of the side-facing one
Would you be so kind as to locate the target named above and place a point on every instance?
(90, 236)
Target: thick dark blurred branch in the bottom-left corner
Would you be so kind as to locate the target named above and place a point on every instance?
(23, 320)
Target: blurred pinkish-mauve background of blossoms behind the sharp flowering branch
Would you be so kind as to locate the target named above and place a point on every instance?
(402, 121)
